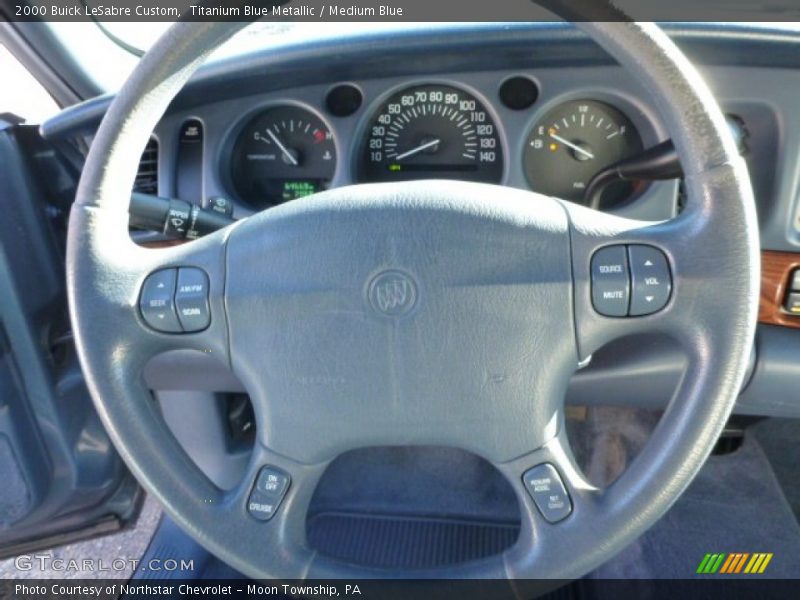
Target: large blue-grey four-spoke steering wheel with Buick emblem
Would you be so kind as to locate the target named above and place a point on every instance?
(426, 313)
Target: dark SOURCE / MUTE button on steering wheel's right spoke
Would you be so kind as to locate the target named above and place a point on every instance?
(610, 281)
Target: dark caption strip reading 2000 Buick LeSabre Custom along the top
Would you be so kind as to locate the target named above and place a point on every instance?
(398, 10)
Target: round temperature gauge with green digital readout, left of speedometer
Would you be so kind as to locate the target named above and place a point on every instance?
(285, 152)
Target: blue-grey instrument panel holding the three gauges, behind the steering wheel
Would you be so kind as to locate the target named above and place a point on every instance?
(548, 131)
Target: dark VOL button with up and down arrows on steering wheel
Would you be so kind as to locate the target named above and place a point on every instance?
(651, 281)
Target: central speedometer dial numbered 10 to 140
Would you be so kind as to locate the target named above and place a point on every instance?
(432, 131)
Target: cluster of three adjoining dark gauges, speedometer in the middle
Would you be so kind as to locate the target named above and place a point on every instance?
(431, 130)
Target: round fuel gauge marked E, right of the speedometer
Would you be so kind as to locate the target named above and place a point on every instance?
(574, 141)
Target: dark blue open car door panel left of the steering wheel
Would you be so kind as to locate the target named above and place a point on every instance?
(60, 477)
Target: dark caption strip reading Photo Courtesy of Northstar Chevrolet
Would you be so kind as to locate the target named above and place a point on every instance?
(738, 587)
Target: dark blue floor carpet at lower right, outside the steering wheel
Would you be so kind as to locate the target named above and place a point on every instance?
(734, 505)
